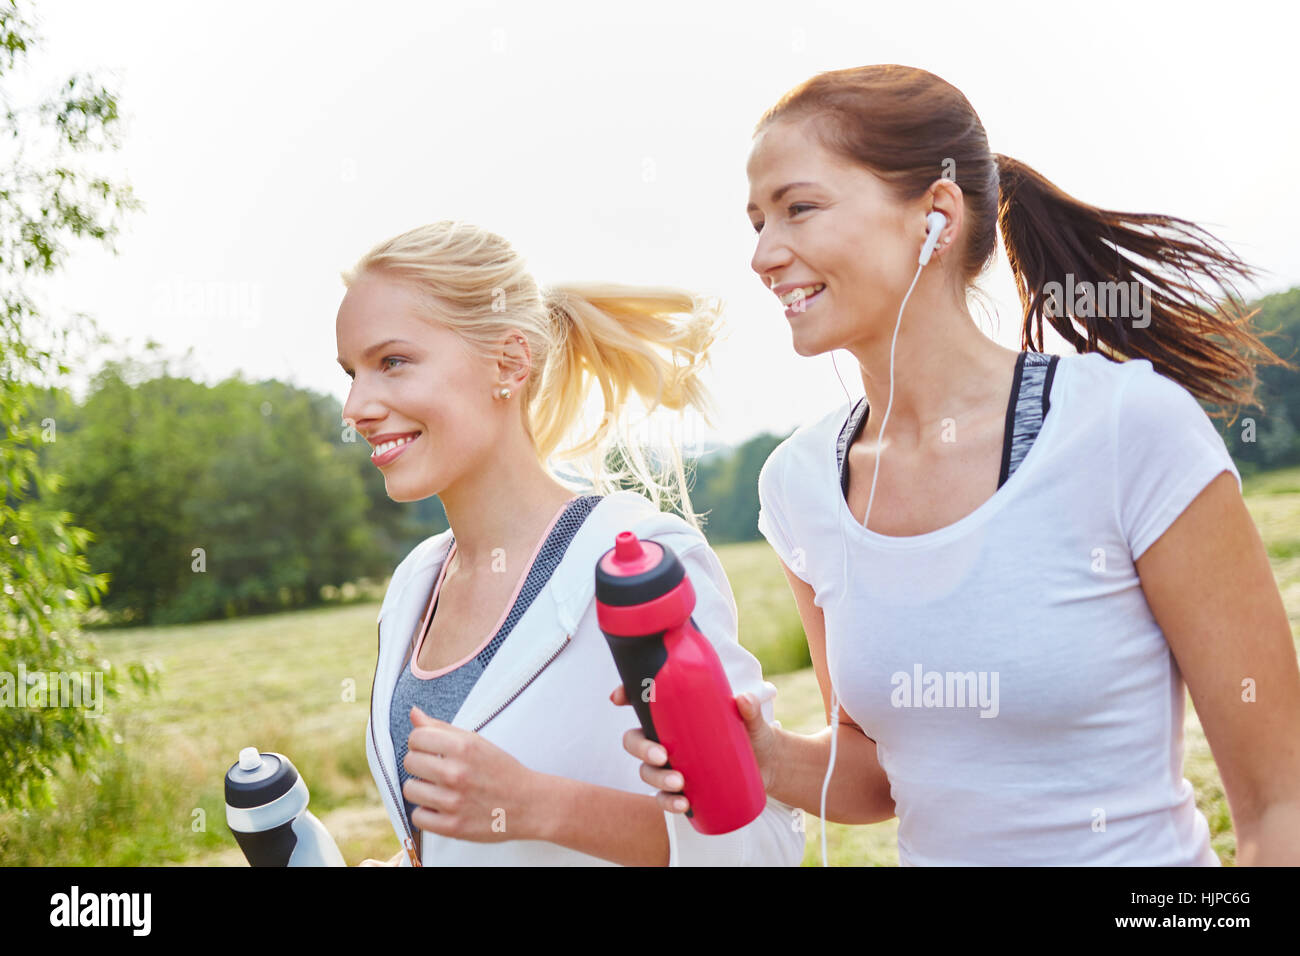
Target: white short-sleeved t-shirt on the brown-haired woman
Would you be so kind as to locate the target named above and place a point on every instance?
(1024, 700)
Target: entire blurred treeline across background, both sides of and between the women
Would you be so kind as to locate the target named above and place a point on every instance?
(250, 498)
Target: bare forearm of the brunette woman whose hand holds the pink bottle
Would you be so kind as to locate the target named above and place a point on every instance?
(860, 790)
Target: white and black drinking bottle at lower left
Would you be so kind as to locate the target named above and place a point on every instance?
(267, 811)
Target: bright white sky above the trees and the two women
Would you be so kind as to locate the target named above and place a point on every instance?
(275, 142)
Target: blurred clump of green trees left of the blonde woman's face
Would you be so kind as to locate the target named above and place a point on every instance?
(216, 501)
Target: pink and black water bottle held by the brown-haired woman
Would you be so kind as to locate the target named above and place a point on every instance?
(675, 682)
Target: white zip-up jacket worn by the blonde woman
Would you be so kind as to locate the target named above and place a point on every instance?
(545, 697)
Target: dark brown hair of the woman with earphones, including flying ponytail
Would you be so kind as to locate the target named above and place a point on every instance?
(911, 128)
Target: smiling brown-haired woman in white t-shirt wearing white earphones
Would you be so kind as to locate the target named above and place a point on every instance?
(1011, 568)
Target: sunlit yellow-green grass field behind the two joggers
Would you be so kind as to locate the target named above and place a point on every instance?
(300, 684)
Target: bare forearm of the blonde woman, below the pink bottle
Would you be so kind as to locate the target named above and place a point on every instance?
(614, 825)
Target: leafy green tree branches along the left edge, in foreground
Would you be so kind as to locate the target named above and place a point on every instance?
(46, 583)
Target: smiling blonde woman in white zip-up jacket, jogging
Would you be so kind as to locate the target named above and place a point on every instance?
(492, 738)
